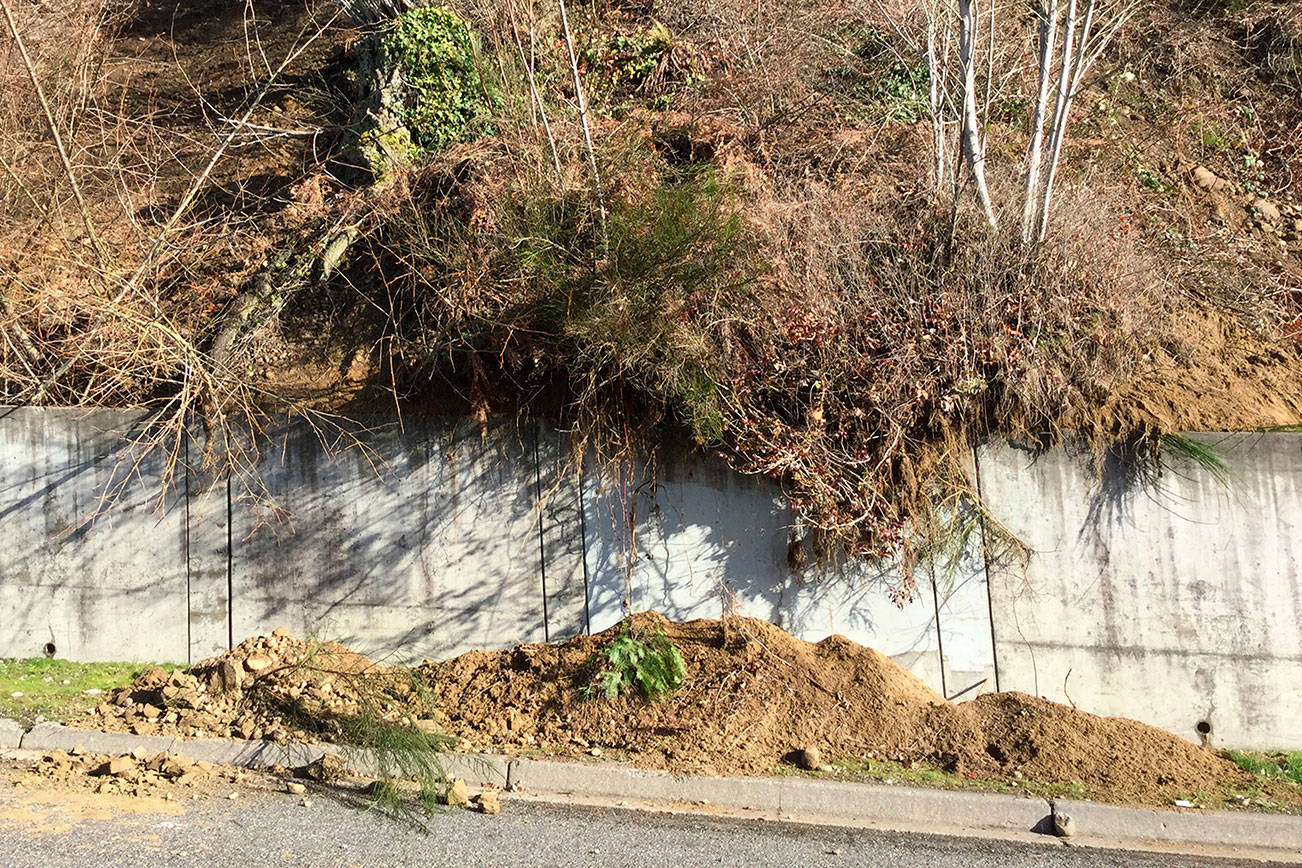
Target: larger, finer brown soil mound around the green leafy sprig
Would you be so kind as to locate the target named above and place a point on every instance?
(753, 694)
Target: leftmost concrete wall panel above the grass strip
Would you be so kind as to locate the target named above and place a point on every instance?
(94, 558)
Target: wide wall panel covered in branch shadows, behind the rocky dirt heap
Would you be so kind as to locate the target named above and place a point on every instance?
(408, 543)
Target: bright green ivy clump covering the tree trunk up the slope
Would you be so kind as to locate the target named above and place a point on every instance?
(447, 100)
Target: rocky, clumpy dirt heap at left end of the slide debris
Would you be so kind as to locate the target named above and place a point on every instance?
(271, 688)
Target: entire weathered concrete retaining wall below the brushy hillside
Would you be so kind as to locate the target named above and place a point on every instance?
(1178, 604)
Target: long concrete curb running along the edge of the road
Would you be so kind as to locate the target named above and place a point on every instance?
(829, 802)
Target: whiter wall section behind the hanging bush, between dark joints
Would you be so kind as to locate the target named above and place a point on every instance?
(692, 539)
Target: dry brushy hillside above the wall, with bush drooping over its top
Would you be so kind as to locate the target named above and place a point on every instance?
(712, 222)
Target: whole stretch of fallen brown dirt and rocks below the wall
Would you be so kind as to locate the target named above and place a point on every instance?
(753, 696)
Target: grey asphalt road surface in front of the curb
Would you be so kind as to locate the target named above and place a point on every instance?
(275, 830)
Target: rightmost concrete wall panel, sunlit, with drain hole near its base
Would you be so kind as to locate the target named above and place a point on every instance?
(1178, 606)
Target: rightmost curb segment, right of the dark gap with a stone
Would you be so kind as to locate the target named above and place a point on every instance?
(1094, 822)
